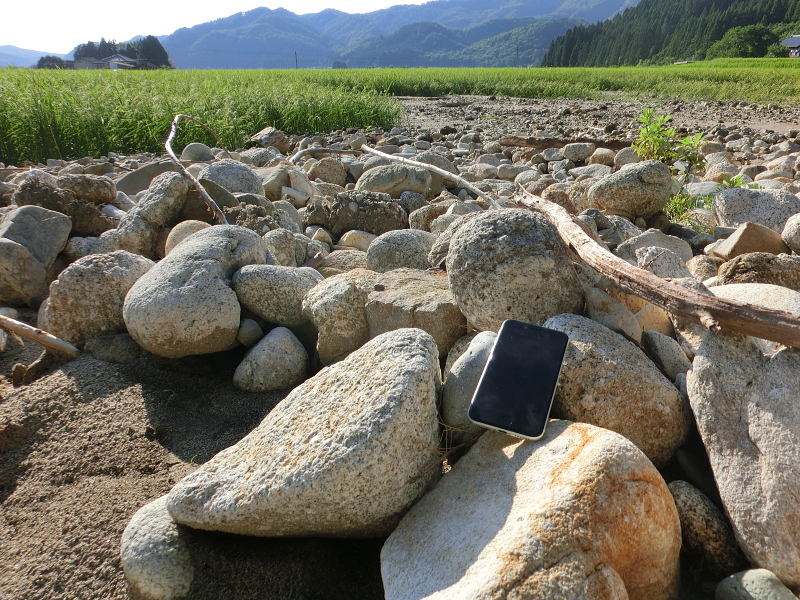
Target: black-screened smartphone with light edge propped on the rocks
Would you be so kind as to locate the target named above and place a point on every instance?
(516, 390)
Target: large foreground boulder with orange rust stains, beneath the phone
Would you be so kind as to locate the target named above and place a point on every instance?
(580, 514)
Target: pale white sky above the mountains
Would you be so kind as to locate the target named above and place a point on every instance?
(57, 26)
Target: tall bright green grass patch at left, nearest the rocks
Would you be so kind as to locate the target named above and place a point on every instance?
(69, 114)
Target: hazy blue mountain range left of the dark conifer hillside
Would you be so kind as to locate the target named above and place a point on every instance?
(436, 33)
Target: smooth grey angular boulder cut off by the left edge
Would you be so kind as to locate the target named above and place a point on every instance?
(30, 239)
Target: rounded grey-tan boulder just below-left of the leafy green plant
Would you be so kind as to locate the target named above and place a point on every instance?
(641, 190)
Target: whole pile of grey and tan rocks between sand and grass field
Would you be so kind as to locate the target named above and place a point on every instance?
(351, 281)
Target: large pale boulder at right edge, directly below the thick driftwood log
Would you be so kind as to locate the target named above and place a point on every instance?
(745, 412)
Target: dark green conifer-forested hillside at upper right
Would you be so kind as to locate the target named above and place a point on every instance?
(664, 31)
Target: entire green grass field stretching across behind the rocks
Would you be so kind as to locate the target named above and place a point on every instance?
(69, 114)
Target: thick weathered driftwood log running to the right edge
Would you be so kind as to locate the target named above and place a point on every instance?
(715, 314)
